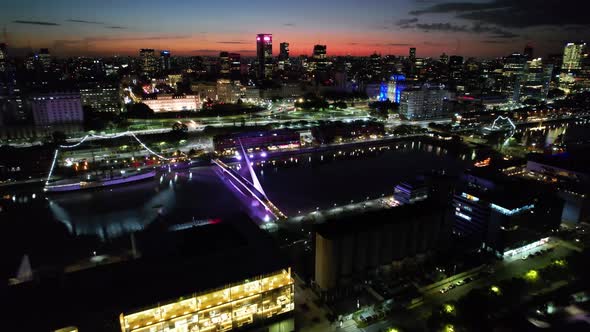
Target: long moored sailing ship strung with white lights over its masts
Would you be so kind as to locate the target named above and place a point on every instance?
(104, 181)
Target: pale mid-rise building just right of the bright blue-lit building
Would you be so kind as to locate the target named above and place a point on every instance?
(425, 102)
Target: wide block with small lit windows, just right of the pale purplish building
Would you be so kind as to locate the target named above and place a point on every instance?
(101, 97)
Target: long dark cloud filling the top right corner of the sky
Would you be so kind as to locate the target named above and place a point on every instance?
(517, 14)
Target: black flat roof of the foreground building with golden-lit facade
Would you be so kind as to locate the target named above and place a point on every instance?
(173, 265)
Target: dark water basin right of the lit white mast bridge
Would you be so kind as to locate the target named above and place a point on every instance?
(320, 180)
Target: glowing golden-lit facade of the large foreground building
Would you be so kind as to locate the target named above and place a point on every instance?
(222, 309)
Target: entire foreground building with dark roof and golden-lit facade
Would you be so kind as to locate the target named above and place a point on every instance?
(195, 278)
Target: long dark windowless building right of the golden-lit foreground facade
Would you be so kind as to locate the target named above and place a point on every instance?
(349, 247)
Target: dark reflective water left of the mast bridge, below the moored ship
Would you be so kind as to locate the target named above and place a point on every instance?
(176, 197)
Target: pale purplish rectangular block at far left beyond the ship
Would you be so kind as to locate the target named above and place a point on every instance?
(56, 108)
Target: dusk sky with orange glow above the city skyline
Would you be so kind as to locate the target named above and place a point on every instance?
(357, 27)
